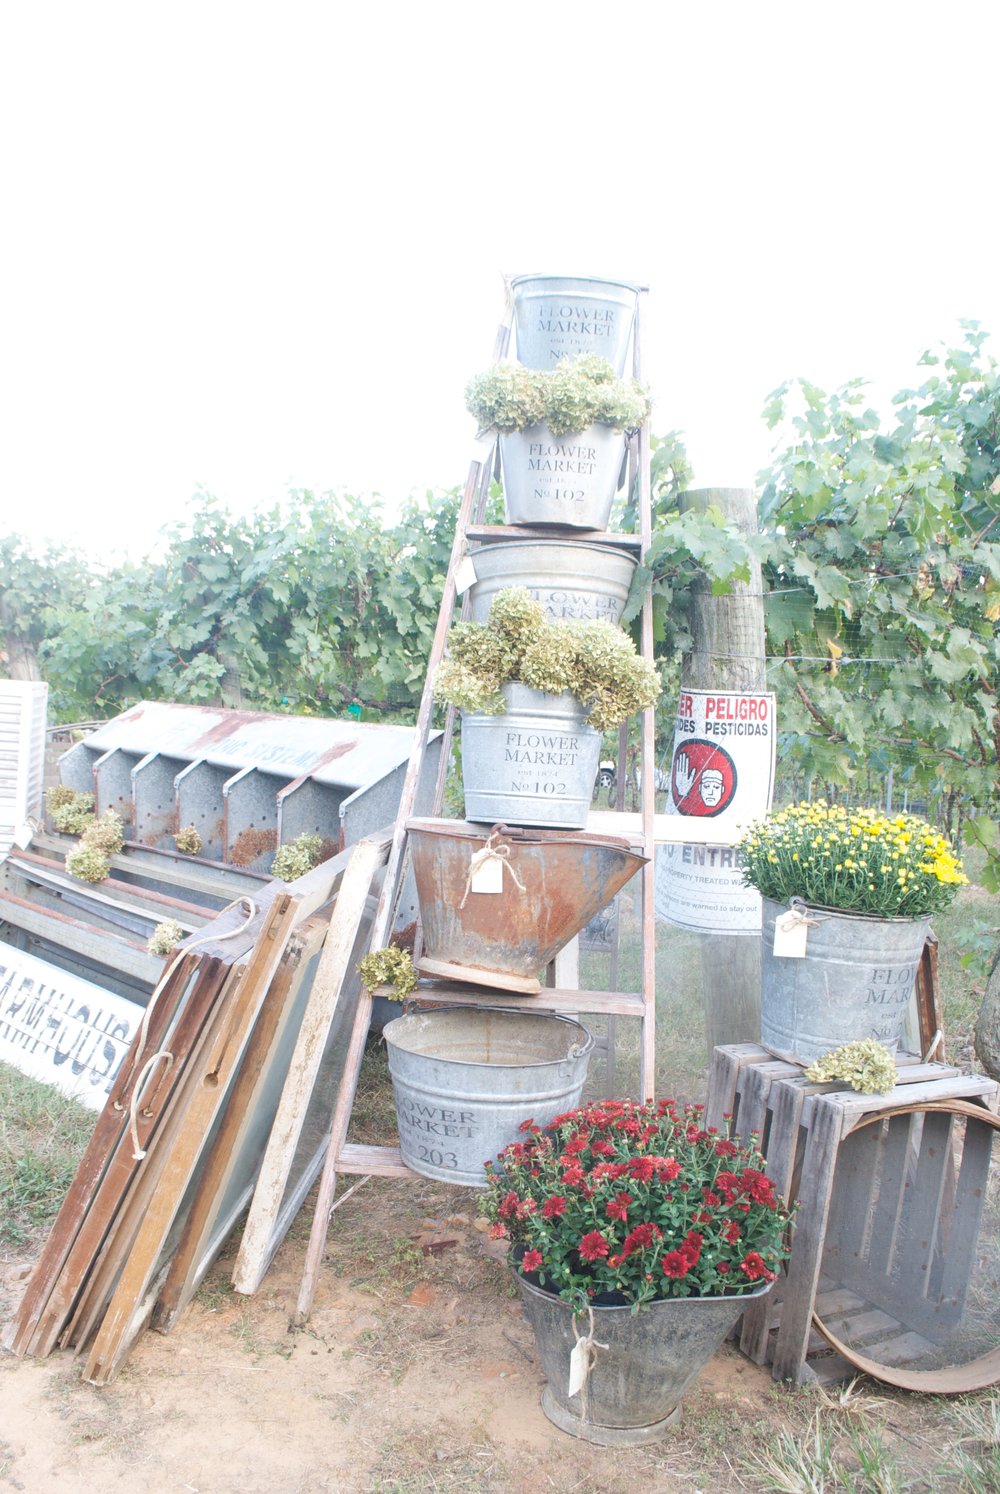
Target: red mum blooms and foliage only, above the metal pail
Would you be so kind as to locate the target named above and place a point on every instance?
(626, 1203)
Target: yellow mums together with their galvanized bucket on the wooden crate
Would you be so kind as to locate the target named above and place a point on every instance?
(848, 897)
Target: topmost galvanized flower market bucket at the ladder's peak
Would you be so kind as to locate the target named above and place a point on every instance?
(563, 316)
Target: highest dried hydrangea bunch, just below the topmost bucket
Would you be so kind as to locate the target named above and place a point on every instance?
(578, 394)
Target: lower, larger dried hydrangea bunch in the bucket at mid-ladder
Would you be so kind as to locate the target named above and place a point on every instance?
(594, 661)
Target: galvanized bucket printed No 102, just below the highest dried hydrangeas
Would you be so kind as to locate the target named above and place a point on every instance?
(561, 480)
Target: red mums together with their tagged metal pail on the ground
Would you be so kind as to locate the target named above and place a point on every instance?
(639, 1238)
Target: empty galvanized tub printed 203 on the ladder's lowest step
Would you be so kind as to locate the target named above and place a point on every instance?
(467, 1078)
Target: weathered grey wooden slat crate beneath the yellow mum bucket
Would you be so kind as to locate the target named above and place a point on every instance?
(889, 1215)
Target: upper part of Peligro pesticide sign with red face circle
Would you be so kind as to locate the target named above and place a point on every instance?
(723, 769)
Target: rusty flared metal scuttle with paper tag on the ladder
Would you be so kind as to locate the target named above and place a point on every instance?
(551, 885)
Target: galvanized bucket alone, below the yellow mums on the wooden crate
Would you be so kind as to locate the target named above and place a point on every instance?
(854, 982)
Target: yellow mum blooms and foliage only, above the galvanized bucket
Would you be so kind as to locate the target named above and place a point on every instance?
(853, 861)
